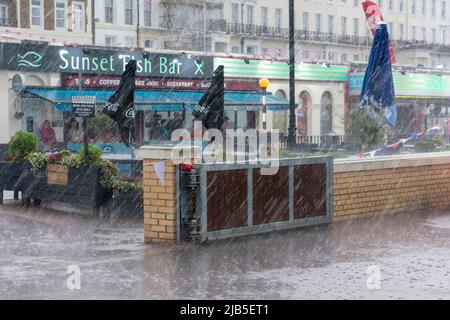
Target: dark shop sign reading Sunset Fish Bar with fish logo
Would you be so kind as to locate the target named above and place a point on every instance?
(55, 59)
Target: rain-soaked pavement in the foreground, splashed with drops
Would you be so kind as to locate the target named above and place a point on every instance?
(411, 251)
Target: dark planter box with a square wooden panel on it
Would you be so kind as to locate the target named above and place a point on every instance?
(68, 185)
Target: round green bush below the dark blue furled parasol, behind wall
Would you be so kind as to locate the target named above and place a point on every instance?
(366, 127)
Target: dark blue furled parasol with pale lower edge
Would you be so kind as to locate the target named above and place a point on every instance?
(378, 88)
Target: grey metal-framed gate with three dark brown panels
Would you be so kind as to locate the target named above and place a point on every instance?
(221, 201)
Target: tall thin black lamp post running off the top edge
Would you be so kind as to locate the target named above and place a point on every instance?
(292, 105)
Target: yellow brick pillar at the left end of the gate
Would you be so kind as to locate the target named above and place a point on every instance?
(159, 204)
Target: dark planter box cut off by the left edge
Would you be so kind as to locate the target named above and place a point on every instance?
(11, 178)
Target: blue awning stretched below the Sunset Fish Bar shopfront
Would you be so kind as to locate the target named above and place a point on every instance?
(160, 100)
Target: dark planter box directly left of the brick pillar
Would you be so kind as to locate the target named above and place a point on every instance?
(128, 204)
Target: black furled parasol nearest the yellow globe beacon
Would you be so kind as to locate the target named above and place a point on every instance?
(211, 108)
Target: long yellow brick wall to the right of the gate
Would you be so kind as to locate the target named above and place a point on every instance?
(359, 194)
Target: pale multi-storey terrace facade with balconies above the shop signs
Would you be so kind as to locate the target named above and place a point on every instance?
(331, 30)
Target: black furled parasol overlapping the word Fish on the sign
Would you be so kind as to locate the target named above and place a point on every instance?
(120, 107)
